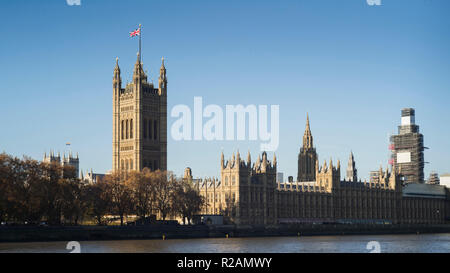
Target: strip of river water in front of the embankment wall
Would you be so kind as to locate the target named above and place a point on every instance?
(426, 243)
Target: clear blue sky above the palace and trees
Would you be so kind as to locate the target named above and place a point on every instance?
(350, 65)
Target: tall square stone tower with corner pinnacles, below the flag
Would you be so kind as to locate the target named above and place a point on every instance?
(139, 121)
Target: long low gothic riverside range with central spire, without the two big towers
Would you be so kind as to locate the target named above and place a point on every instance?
(248, 194)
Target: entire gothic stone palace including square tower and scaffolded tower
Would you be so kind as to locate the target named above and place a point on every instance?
(247, 192)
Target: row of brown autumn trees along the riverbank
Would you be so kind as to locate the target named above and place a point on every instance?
(32, 192)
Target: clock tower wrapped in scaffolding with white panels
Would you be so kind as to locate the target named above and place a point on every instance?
(407, 149)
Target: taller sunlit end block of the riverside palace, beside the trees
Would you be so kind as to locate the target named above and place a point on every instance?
(246, 194)
